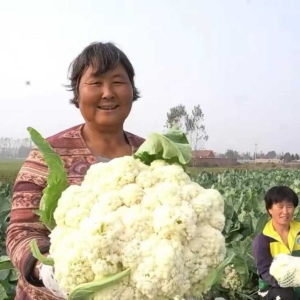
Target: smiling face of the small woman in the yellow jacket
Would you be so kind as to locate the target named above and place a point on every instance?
(282, 212)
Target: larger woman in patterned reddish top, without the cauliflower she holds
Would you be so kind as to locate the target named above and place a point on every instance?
(102, 81)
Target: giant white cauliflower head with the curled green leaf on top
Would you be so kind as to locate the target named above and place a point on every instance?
(138, 227)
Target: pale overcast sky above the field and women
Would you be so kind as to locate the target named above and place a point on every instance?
(238, 59)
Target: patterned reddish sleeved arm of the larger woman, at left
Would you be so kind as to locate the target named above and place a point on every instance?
(24, 224)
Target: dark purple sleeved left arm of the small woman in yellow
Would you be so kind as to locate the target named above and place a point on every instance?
(263, 259)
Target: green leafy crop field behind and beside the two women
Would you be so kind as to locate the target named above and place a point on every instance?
(245, 217)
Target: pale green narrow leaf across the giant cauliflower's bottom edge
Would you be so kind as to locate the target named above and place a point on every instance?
(88, 290)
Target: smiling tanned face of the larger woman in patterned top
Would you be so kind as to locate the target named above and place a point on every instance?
(105, 100)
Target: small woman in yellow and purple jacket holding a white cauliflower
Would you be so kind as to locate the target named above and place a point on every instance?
(280, 239)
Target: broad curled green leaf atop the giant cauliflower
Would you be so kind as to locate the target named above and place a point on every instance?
(172, 147)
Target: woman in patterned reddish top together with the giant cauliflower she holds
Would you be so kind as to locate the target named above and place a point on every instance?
(121, 219)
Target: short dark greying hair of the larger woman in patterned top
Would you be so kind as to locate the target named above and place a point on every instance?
(102, 57)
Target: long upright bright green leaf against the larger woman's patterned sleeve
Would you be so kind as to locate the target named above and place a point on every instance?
(56, 181)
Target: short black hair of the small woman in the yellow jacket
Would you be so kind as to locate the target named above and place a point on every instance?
(280, 193)
